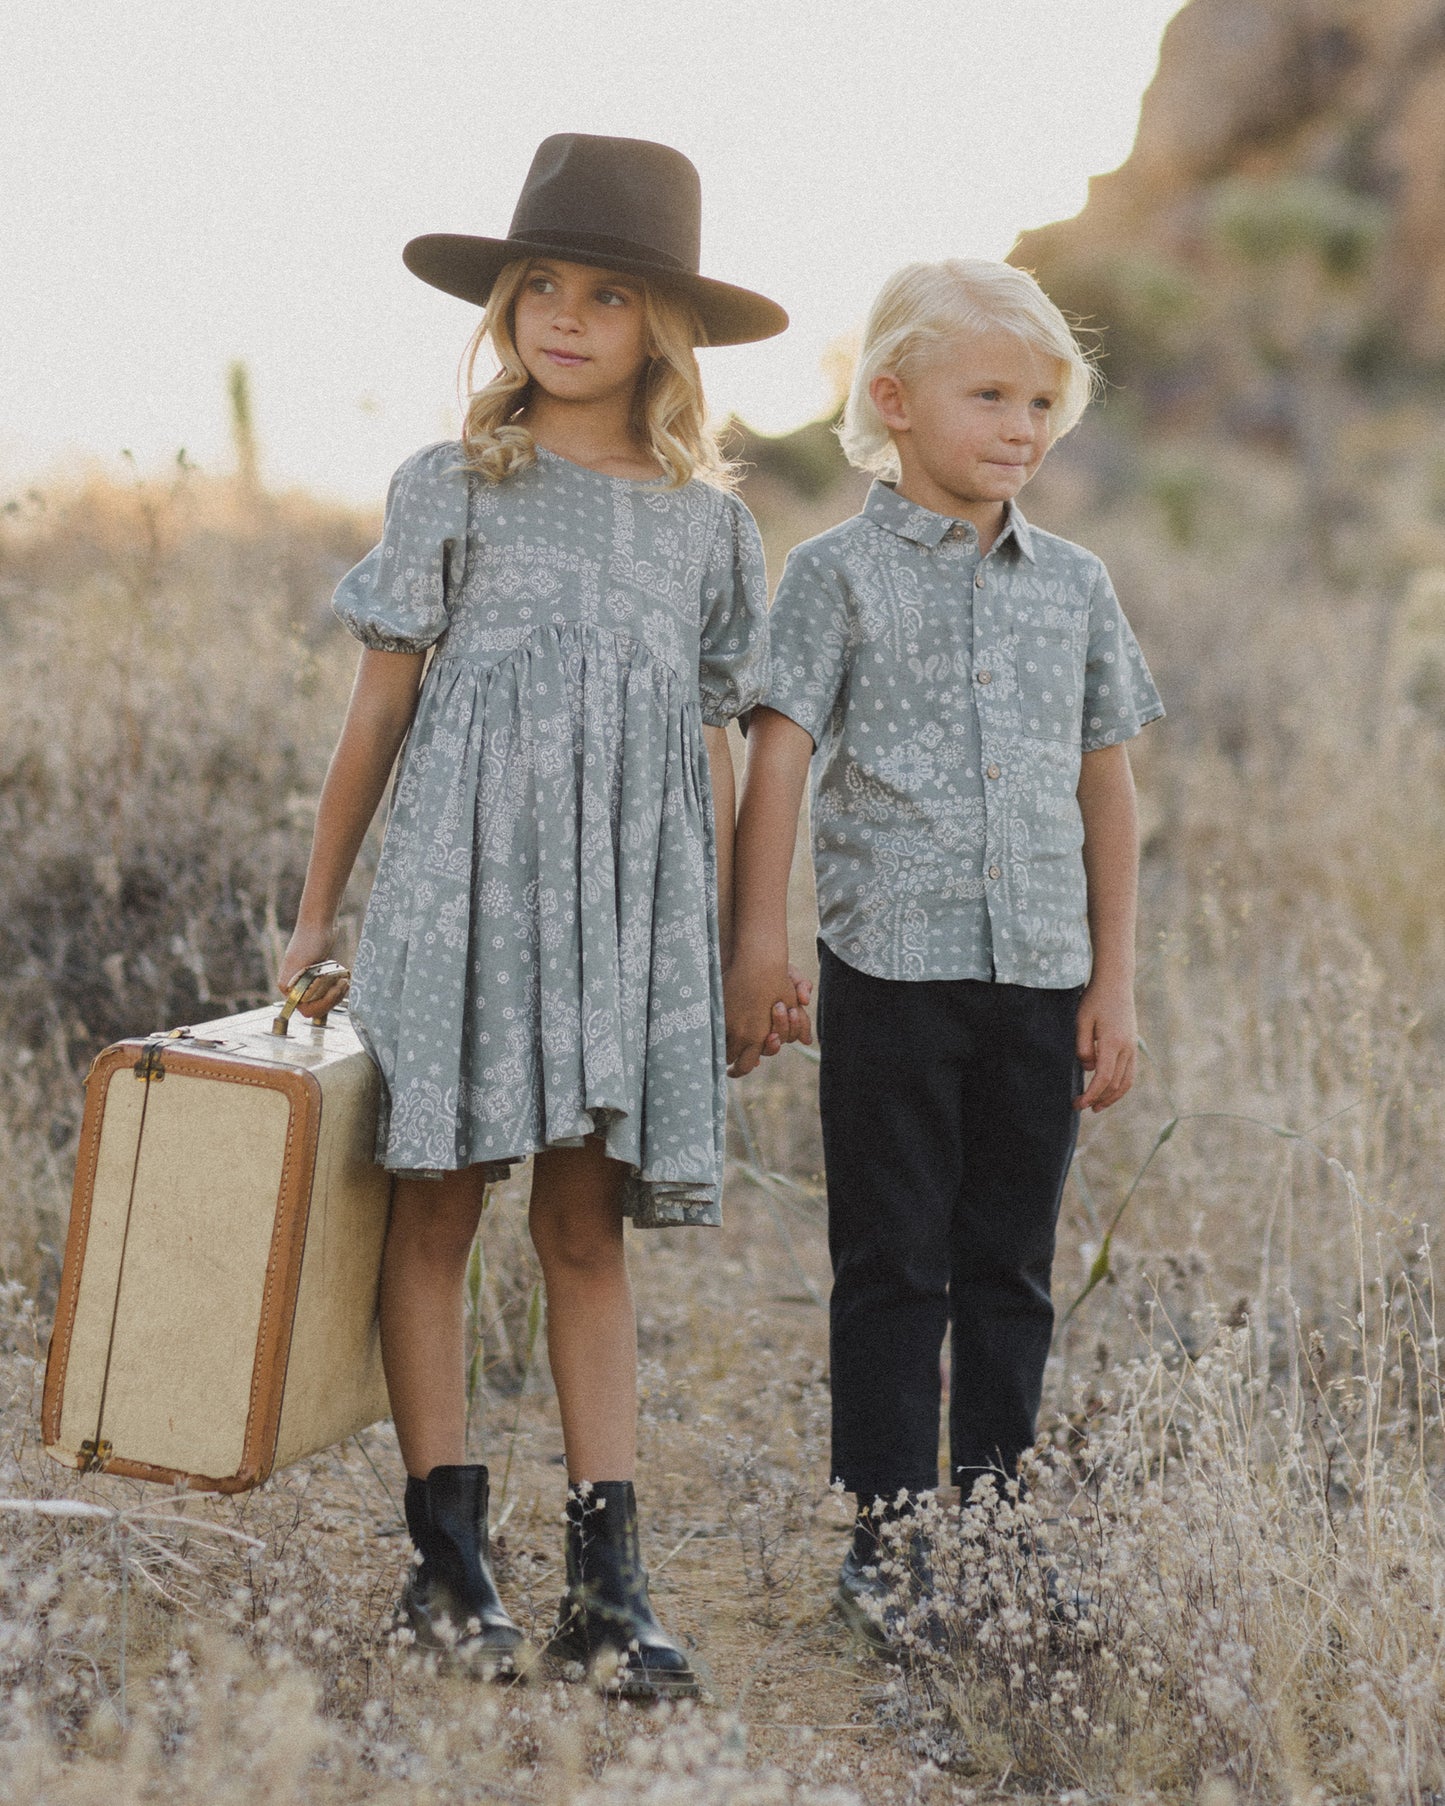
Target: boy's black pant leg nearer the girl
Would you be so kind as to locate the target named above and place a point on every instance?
(890, 1101)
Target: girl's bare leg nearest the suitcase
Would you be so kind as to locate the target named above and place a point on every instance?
(424, 1272)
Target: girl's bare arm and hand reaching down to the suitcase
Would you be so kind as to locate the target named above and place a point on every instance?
(378, 716)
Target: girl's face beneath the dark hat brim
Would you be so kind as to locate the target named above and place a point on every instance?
(581, 331)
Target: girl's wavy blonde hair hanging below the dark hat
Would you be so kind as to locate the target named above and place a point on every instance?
(669, 411)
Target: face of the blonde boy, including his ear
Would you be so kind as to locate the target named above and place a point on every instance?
(971, 422)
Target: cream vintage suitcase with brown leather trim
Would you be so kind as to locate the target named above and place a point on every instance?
(218, 1307)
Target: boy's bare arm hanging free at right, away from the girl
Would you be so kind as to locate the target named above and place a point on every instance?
(1108, 1029)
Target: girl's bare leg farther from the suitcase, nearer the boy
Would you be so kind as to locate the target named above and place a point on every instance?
(592, 1325)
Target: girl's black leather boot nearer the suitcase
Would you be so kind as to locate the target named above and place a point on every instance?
(451, 1599)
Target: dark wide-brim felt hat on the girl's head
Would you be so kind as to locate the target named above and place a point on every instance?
(620, 203)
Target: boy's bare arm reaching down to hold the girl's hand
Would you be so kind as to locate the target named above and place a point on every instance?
(779, 752)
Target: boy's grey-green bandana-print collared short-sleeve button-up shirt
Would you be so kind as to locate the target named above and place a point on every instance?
(951, 698)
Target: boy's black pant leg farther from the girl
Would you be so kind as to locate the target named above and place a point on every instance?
(1021, 1131)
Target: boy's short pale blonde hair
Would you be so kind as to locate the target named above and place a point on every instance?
(926, 306)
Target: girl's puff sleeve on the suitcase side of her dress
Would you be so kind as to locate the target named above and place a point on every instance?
(396, 599)
